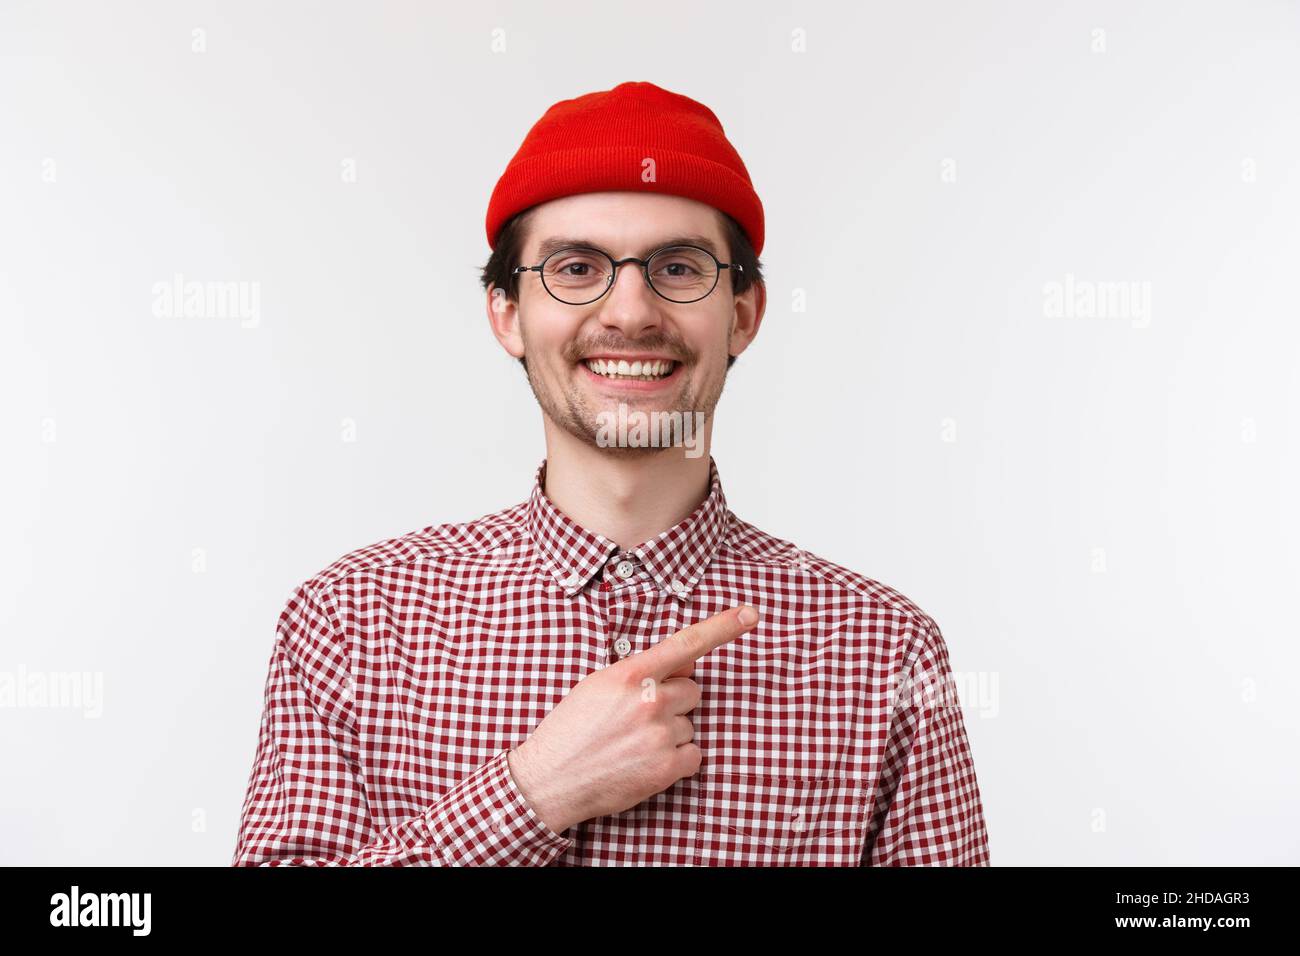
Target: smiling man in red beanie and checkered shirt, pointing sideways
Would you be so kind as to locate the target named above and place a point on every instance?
(617, 671)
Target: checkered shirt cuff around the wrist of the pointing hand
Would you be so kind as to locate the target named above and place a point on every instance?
(486, 821)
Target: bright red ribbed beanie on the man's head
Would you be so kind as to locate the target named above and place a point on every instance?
(601, 141)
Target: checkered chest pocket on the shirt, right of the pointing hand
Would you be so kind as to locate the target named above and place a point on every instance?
(761, 820)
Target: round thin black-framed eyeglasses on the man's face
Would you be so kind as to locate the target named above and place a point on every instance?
(579, 276)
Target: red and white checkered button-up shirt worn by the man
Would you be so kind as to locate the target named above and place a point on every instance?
(405, 673)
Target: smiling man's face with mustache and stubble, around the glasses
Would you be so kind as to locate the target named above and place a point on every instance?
(565, 345)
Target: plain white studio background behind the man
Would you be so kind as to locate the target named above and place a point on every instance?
(1099, 512)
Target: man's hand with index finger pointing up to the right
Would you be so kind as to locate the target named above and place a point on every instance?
(622, 734)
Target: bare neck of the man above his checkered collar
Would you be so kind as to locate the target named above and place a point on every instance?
(627, 499)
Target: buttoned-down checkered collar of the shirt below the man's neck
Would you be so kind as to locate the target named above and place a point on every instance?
(675, 559)
